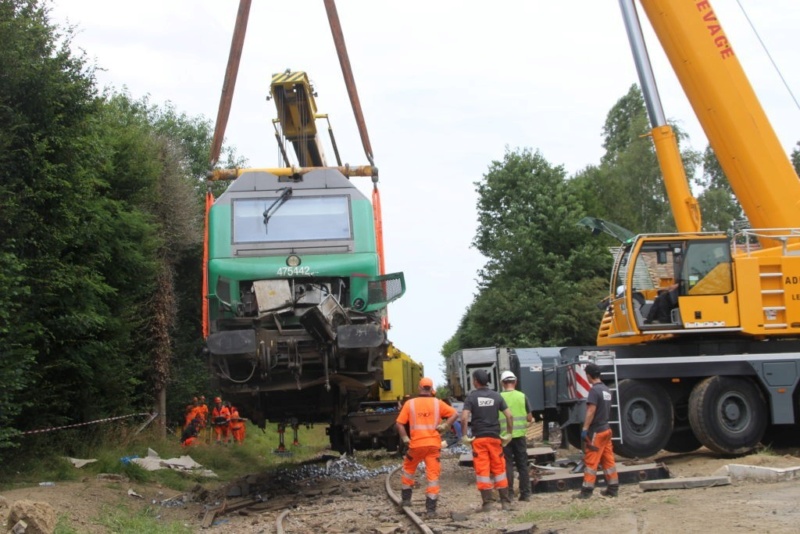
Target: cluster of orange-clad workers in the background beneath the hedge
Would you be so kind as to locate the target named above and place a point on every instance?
(223, 418)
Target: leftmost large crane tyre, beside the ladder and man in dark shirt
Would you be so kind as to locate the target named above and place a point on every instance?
(646, 416)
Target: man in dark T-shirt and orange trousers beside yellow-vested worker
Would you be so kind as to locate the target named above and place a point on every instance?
(485, 406)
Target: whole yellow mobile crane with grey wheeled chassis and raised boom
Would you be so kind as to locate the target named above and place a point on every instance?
(721, 369)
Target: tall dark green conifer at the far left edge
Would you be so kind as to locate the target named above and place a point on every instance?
(82, 254)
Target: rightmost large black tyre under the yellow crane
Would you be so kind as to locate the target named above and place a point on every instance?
(728, 415)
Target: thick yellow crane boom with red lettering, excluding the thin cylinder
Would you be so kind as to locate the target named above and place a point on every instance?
(759, 171)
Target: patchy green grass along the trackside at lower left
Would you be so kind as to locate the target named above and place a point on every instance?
(47, 462)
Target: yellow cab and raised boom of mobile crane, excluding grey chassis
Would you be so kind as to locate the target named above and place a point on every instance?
(725, 287)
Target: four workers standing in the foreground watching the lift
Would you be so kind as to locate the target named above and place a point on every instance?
(496, 452)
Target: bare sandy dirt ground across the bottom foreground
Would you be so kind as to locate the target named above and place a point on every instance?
(361, 506)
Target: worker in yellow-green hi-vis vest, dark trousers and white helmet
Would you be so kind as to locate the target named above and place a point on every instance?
(516, 452)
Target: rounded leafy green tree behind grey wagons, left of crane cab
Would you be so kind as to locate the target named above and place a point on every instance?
(543, 273)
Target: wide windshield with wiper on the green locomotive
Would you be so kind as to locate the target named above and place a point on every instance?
(298, 219)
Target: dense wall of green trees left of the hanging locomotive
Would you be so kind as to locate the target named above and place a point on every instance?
(100, 238)
